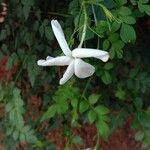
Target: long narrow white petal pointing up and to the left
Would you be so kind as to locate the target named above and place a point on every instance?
(60, 37)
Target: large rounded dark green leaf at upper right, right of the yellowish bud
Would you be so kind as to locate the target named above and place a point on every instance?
(127, 33)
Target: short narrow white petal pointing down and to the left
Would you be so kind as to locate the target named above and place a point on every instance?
(68, 73)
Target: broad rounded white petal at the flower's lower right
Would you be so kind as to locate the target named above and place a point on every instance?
(83, 69)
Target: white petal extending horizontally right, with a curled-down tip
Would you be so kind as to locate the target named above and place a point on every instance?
(87, 52)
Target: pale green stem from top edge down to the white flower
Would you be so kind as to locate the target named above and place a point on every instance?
(84, 25)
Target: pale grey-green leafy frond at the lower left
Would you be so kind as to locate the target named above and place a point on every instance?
(15, 125)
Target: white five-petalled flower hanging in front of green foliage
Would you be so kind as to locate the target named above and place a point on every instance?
(72, 58)
